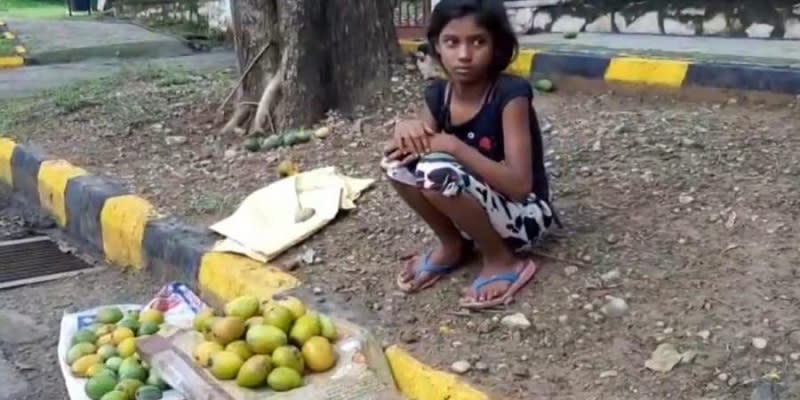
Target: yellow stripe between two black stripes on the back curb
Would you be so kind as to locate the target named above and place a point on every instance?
(647, 71)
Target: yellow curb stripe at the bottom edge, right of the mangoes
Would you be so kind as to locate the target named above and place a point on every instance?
(418, 381)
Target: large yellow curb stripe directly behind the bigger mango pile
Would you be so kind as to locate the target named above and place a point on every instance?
(227, 276)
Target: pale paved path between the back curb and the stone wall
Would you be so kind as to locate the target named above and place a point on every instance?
(771, 52)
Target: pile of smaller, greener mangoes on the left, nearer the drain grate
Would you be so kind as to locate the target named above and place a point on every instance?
(105, 353)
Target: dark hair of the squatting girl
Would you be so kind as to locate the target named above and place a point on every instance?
(490, 14)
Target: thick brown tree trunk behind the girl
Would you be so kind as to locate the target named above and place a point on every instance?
(321, 55)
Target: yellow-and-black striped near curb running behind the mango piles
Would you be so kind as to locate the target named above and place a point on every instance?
(105, 218)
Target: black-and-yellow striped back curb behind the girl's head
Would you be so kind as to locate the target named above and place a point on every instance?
(662, 72)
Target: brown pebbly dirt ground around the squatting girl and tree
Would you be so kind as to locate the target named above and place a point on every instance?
(686, 210)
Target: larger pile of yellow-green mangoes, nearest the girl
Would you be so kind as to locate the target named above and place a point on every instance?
(273, 345)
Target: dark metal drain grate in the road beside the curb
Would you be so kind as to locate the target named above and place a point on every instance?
(34, 260)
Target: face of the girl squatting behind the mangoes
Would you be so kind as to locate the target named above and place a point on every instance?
(466, 49)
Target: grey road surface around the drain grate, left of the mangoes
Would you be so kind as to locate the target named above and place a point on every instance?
(31, 316)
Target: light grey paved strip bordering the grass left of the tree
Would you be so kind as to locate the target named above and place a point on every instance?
(32, 79)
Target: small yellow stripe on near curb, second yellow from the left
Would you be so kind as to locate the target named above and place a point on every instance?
(53, 178)
